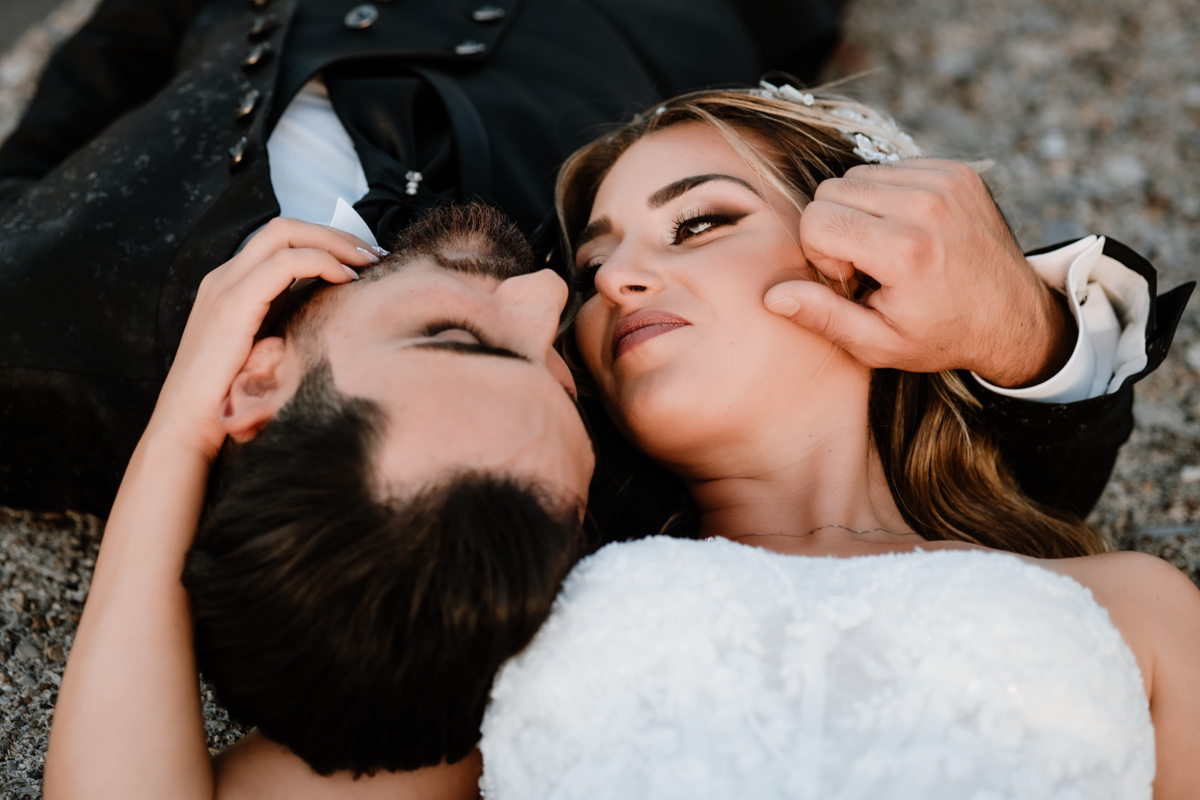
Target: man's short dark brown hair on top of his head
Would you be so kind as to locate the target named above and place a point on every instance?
(361, 633)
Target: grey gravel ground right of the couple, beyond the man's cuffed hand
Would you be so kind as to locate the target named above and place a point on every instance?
(1091, 111)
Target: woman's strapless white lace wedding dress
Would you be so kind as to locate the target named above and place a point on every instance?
(710, 670)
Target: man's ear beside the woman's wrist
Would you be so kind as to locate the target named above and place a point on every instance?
(269, 378)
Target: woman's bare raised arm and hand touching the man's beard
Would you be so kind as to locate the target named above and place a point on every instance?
(129, 723)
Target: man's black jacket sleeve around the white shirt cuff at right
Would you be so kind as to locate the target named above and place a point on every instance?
(1063, 454)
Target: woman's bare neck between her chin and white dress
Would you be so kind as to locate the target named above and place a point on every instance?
(795, 474)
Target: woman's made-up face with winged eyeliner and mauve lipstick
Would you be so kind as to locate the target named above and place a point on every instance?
(682, 245)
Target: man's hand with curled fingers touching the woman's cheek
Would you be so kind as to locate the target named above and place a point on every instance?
(956, 291)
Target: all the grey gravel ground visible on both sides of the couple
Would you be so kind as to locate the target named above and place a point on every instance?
(1091, 111)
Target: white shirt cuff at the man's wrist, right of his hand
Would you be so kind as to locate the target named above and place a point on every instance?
(1111, 304)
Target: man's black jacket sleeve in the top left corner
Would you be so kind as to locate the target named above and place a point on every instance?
(117, 62)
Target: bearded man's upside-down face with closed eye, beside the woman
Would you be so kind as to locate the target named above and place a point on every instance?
(457, 346)
